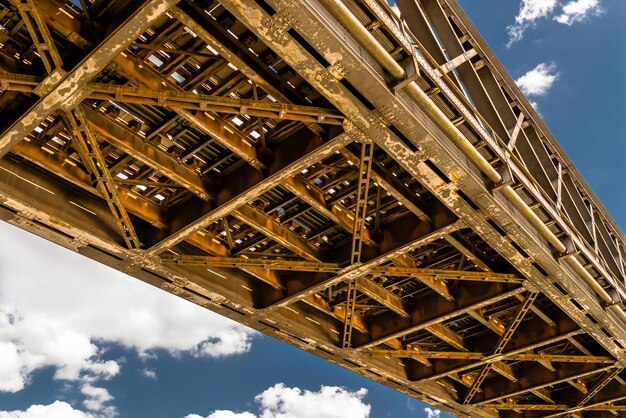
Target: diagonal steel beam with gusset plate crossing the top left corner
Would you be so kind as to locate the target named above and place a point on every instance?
(60, 90)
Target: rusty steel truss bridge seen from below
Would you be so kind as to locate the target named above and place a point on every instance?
(373, 190)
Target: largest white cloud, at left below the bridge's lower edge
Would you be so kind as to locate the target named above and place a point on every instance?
(57, 307)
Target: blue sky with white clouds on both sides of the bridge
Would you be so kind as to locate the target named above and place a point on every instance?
(79, 340)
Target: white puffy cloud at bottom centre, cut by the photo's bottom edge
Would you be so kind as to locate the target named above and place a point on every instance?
(280, 401)
